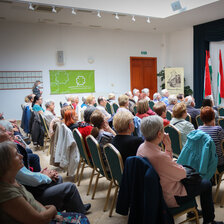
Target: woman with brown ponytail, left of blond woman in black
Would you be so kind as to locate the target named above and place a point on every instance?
(101, 130)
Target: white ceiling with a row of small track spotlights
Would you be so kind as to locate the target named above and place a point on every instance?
(86, 14)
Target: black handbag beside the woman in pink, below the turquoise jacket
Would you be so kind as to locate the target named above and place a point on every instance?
(192, 176)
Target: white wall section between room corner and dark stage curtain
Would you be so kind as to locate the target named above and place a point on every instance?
(179, 52)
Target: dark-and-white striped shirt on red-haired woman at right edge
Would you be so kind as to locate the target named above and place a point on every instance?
(217, 134)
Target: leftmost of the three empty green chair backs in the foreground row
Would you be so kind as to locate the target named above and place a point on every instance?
(81, 146)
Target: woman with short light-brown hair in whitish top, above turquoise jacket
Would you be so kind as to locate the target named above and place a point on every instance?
(178, 120)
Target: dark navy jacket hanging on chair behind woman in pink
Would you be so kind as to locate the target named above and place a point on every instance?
(140, 191)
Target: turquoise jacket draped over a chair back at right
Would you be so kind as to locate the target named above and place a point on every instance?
(199, 152)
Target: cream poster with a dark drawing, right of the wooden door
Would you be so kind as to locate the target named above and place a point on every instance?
(174, 80)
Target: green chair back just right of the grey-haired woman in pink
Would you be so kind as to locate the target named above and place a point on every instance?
(175, 137)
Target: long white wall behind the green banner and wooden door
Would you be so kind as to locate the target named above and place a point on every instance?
(29, 47)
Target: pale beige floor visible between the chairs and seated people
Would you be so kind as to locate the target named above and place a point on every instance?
(96, 215)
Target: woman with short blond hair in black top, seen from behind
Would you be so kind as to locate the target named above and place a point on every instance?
(126, 144)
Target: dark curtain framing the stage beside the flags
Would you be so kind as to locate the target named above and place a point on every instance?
(203, 34)
